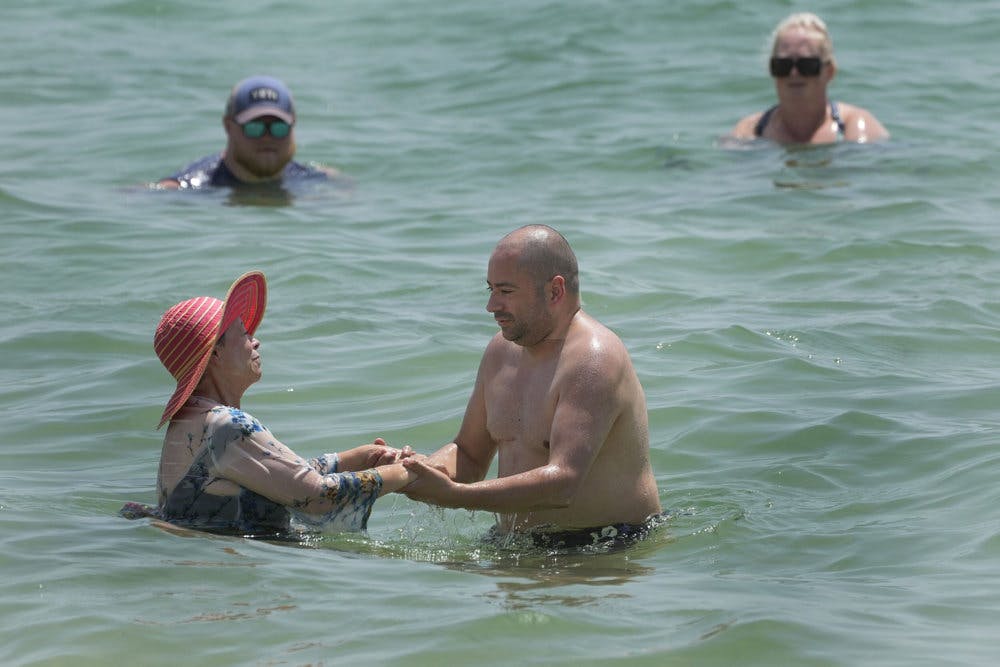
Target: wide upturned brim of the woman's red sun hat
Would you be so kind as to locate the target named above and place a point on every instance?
(246, 300)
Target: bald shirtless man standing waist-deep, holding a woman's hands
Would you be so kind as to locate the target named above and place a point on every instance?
(558, 401)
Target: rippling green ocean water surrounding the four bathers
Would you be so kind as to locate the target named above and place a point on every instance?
(816, 330)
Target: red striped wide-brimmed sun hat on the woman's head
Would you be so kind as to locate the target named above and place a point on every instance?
(189, 330)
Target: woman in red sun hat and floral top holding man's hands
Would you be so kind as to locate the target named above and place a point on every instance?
(221, 469)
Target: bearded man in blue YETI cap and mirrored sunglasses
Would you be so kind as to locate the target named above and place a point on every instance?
(260, 127)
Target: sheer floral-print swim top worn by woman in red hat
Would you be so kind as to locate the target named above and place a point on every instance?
(243, 480)
